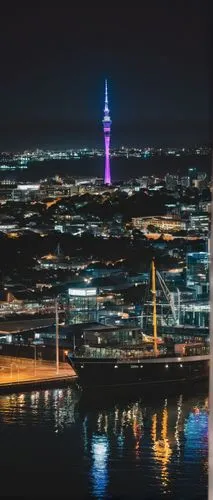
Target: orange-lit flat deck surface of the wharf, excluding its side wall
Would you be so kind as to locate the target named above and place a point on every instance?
(14, 370)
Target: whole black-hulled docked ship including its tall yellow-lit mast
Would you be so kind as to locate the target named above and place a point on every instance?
(116, 357)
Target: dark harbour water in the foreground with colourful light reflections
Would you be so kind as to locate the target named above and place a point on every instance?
(132, 448)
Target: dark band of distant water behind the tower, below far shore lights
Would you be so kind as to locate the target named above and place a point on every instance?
(122, 168)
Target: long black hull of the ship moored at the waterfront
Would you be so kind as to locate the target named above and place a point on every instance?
(112, 373)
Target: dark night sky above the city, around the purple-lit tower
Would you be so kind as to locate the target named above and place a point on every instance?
(54, 62)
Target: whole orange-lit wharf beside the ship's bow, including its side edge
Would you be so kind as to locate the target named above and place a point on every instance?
(27, 374)
